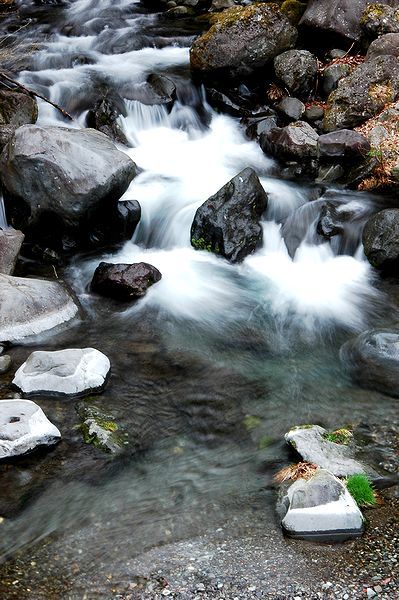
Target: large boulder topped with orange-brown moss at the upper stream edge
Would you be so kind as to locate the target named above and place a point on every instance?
(243, 39)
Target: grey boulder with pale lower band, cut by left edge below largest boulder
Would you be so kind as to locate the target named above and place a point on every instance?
(31, 306)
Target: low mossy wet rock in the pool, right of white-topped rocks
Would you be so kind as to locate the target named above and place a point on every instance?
(101, 430)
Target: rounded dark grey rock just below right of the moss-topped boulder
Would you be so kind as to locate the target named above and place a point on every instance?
(297, 69)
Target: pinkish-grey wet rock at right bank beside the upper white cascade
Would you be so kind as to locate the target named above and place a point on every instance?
(297, 141)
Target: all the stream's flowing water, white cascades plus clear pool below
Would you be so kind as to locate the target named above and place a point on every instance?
(218, 360)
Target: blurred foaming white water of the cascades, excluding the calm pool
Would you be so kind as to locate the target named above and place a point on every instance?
(183, 164)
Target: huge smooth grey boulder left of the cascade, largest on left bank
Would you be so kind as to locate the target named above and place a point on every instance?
(58, 181)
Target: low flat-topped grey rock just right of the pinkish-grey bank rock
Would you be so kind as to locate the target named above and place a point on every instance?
(343, 145)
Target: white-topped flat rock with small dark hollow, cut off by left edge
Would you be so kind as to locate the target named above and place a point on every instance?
(23, 428)
